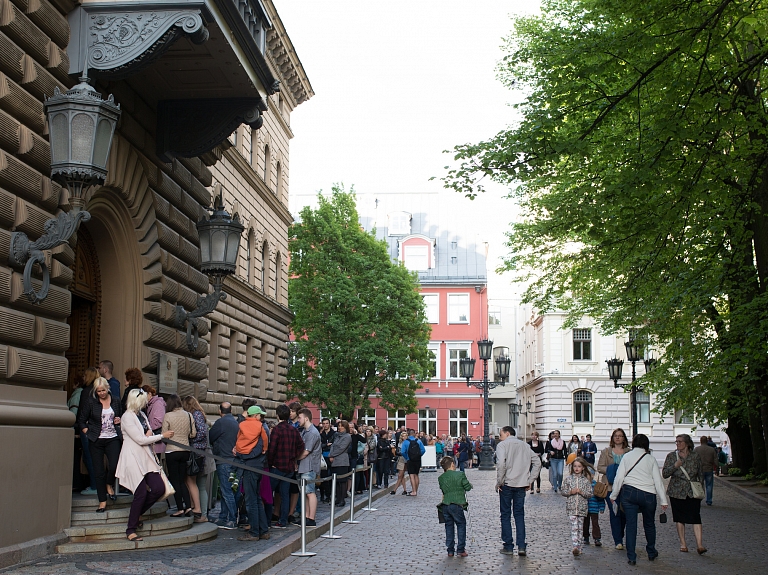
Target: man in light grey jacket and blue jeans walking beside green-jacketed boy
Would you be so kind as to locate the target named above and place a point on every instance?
(516, 467)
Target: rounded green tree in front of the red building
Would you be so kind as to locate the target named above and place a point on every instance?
(359, 320)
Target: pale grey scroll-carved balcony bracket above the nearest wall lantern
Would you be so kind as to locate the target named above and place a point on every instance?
(116, 40)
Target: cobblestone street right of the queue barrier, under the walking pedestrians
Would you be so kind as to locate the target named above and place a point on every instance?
(403, 536)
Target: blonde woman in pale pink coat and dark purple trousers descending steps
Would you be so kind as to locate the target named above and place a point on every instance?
(138, 468)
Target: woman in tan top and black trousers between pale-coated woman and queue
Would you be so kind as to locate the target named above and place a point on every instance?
(176, 459)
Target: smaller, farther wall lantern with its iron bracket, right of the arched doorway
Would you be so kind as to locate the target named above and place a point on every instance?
(219, 245)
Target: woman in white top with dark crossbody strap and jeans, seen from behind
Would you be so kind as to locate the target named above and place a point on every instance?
(639, 482)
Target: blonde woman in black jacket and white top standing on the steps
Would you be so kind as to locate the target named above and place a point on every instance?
(99, 419)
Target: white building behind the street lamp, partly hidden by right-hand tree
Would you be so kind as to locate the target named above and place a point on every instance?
(563, 374)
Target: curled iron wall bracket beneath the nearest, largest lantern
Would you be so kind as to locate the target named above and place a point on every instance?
(25, 253)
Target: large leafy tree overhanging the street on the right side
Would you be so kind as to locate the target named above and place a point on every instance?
(641, 165)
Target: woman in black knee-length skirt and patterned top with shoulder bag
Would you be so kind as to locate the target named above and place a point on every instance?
(685, 489)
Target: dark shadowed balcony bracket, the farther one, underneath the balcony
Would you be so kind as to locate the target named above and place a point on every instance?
(188, 128)
